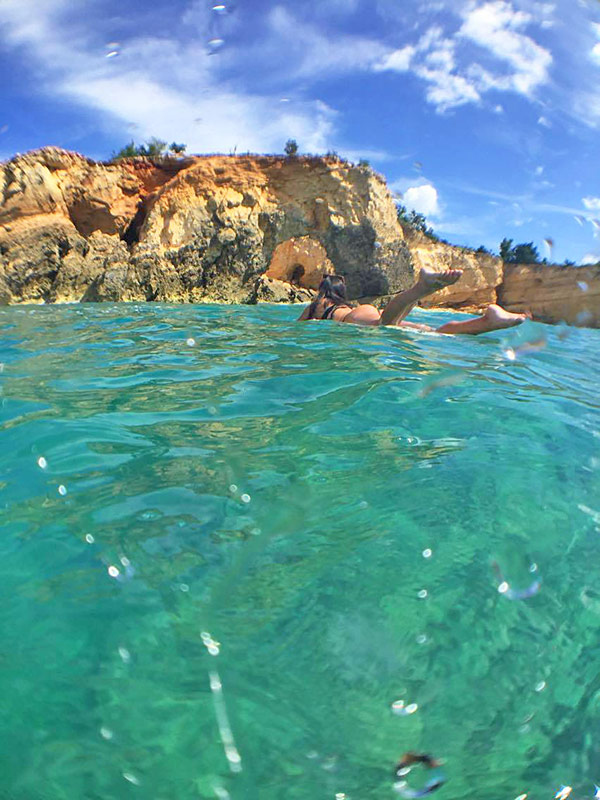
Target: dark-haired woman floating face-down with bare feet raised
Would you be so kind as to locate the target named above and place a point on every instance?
(332, 302)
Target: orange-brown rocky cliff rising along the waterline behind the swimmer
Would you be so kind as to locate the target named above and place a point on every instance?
(239, 229)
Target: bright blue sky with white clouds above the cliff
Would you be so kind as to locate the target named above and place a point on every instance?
(483, 115)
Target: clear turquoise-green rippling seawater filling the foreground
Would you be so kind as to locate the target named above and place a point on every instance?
(275, 485)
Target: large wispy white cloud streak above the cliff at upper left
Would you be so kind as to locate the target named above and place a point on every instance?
(158, 85)
